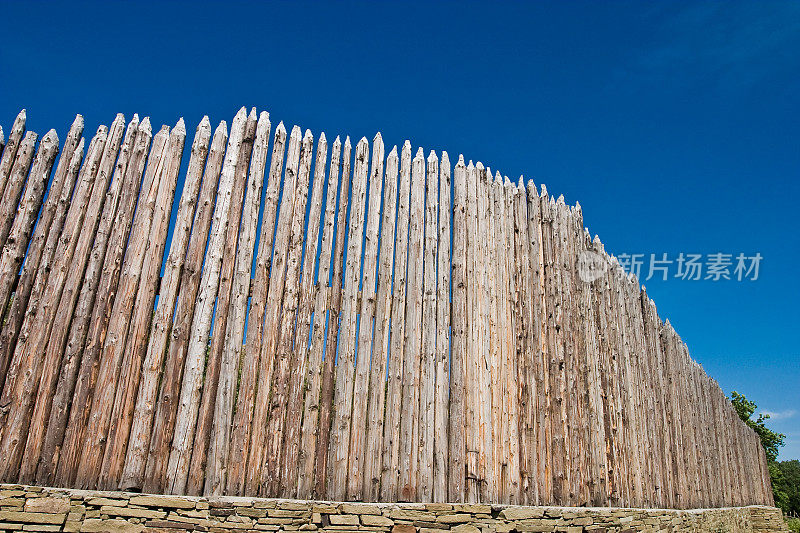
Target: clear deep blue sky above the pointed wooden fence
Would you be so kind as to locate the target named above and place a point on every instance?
(674, 124)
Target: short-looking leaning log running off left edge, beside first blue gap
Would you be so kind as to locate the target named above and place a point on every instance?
(17, 243)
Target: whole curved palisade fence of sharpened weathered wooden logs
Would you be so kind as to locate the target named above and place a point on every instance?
(328, 321)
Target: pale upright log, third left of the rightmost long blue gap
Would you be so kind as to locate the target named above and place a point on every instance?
(412, 356)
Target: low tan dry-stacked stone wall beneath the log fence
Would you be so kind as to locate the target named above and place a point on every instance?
(24, 508)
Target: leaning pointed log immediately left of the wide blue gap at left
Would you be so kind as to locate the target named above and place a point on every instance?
(139, 329)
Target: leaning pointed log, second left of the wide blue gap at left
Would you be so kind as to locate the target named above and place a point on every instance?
(113, 353)
